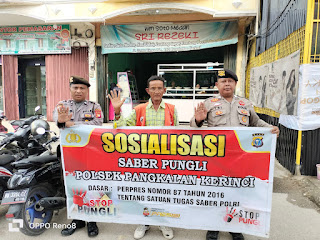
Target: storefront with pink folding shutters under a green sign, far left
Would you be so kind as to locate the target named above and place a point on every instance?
(37, 62)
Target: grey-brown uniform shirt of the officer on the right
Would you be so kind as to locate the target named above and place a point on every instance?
(237, 113)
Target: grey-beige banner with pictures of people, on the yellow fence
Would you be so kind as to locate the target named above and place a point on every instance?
(275, 85)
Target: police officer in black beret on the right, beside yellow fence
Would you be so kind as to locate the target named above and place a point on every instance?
(227, 110)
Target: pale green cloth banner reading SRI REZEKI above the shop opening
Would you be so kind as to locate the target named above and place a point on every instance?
(163, 37)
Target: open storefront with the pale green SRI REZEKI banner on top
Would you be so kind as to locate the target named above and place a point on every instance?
(187, 55)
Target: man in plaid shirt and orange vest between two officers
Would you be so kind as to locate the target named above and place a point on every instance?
(153, 113)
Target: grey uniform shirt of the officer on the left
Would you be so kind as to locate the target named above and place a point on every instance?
(88, 112)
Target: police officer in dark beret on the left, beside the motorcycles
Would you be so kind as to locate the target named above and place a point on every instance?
(74, 112)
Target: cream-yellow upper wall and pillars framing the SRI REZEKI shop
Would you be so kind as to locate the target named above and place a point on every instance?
(129, 12)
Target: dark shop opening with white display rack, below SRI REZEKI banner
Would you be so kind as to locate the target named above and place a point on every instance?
(143, 65)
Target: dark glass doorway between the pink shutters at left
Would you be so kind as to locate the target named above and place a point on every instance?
(32, 85)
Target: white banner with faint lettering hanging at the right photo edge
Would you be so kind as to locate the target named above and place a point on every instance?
(308, 117)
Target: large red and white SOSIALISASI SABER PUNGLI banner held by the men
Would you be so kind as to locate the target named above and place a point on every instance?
(210, 179)
